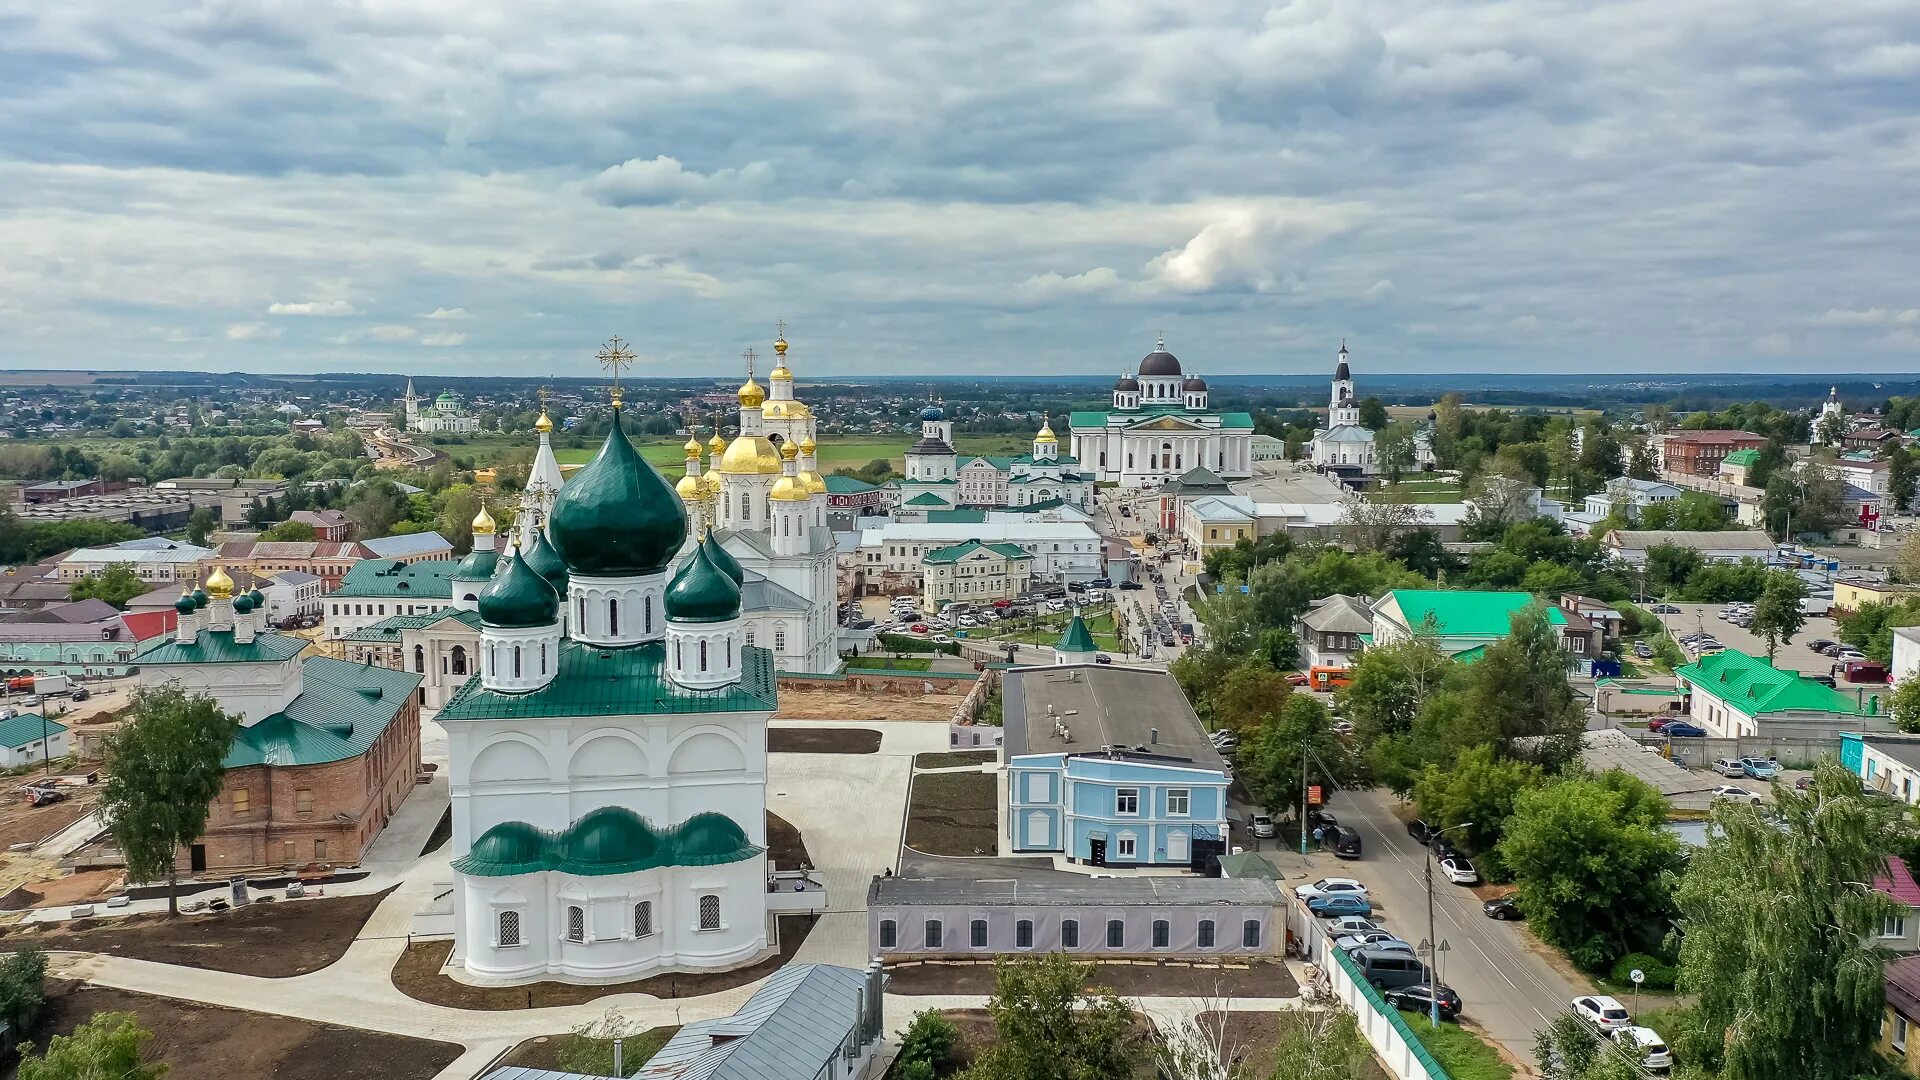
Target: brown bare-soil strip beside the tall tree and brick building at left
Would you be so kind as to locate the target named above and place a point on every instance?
(270, 941)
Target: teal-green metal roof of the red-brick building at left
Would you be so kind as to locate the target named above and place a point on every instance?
(341, 710)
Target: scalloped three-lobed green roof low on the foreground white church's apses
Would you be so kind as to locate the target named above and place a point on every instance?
(608, 841)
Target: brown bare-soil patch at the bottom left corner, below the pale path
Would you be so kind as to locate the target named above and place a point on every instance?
(206, 1043)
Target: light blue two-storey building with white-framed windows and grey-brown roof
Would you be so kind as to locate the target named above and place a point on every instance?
(1111, 766)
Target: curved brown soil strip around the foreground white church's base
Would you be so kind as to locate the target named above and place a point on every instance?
(418, 975)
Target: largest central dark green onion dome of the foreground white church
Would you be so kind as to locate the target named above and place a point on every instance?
(617, 516)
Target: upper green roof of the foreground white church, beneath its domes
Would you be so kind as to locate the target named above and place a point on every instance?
(596, 681)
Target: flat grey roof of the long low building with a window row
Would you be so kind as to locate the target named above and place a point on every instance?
(1070, 893)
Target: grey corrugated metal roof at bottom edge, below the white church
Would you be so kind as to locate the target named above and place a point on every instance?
(788, 1031)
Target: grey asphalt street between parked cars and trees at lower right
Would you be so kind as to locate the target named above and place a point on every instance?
(1508, 991)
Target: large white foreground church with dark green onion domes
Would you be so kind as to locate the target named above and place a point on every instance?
(610, 762)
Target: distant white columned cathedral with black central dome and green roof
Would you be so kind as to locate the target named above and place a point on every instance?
(1163, 426)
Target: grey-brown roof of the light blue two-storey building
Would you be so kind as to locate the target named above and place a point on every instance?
(1103, 706)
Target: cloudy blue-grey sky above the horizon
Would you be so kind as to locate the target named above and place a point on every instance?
(496, 187)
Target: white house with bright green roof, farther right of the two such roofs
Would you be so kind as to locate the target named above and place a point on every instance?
(1735, 695)
